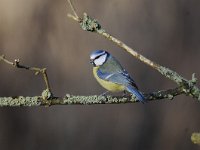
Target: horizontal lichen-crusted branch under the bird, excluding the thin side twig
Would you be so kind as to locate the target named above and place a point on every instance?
(84, 100)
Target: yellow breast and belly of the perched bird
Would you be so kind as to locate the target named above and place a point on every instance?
(110, 86)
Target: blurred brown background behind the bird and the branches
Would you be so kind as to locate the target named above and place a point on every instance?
(40, 34)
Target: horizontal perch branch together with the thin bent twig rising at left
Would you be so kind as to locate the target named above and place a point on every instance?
(47, 98)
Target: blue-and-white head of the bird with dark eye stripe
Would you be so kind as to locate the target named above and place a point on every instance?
(98, 57)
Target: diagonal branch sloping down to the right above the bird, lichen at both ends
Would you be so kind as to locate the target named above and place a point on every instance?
(89, 24)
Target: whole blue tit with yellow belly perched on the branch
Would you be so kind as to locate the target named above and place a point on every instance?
(111, 75)
